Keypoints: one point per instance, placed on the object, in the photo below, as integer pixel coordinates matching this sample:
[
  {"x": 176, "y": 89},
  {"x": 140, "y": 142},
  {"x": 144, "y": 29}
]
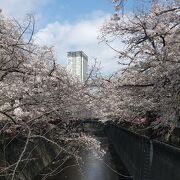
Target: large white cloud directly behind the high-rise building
[{"x": 81, "y": 35}]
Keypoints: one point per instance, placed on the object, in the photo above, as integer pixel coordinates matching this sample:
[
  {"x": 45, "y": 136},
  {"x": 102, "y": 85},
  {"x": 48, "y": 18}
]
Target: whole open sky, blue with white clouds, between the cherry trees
[{"x": 70, "y": 25}]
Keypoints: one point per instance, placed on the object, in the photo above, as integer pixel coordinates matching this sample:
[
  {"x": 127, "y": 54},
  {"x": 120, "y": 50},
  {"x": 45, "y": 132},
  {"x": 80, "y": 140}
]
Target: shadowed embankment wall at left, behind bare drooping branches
[{"x": 39, "y": 154}]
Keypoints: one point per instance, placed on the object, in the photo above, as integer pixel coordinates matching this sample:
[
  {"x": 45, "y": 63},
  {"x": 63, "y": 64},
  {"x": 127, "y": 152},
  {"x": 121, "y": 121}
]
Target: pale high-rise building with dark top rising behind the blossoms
[{"x": 78, "y": 64}]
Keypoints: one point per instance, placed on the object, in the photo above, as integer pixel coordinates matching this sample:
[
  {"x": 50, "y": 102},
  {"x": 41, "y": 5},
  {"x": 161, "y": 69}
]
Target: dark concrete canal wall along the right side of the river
[{"x": 144, "y": 158}]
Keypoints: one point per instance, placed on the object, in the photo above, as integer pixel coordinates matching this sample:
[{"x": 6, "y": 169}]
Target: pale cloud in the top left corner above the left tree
[{"x": 19, "y": 8}]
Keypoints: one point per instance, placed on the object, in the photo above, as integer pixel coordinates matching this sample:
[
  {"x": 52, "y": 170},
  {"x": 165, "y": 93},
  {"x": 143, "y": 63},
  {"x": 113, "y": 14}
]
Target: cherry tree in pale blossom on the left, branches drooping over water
[{"x": 38, "y": 98}]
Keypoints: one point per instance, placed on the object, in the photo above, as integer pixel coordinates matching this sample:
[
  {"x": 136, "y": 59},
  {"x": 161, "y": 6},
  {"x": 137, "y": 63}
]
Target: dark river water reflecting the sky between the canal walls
[{"x": 92, "y": 167}]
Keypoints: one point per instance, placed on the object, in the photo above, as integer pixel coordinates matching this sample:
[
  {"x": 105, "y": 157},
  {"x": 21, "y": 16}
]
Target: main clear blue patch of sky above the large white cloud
[{"x": 73, "y": 10}]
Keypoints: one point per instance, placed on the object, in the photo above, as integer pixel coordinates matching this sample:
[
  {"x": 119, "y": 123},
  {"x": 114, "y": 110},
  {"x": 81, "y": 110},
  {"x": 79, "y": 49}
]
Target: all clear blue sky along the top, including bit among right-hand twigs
[{"x": 74, "y": 10}]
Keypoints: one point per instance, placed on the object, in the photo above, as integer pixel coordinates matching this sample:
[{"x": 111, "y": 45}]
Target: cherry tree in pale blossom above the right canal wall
[{"x": 149, "y": 78}]
